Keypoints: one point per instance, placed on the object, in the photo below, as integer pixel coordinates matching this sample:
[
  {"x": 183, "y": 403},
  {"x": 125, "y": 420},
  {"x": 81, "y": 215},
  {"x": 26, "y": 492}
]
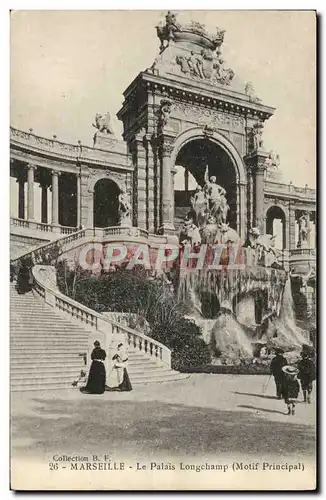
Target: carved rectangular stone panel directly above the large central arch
[{"x": 208, "y": 118}]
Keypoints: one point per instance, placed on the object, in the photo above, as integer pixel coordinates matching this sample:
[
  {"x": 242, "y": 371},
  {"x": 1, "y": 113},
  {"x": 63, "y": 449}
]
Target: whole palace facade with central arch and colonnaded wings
[{"x": 185, "y": 113}]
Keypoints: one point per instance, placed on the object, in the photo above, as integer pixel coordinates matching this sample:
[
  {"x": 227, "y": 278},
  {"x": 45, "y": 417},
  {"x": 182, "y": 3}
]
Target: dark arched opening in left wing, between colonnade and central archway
[{"x": 106, "y": 203}]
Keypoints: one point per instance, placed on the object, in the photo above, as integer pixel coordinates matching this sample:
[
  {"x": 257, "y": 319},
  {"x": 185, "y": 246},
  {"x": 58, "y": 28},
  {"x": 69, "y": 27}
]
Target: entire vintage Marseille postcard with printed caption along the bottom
[{"x": 163, "y": 250}]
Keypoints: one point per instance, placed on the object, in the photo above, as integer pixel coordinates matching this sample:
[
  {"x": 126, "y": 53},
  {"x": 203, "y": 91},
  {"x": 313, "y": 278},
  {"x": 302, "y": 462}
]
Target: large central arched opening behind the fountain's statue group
[{"x": 191, "y": 162}]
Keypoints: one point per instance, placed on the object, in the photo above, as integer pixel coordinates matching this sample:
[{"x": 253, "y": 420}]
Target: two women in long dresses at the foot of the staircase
[{"x": 117, "y": 380}]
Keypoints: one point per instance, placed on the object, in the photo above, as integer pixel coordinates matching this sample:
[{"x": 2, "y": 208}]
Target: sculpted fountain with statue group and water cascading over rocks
[{"x": 212, "y": 293}]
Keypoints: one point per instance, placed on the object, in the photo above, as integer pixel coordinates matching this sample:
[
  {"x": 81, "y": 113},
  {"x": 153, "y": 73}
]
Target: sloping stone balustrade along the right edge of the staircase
[{"x": 45, "y": 286}]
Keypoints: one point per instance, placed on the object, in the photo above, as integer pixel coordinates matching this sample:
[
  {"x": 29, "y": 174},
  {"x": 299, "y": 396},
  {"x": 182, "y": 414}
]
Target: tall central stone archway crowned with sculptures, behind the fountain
[{"x": 189, "y": 98}]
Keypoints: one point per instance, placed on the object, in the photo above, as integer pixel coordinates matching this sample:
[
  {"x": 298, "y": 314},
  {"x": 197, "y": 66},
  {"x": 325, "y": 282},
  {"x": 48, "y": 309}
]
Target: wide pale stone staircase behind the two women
[{"x": 46, "y": 349}]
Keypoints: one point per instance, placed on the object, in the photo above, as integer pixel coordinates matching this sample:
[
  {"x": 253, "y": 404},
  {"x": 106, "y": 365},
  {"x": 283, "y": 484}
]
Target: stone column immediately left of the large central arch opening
[{"x": 167, "y": 191}]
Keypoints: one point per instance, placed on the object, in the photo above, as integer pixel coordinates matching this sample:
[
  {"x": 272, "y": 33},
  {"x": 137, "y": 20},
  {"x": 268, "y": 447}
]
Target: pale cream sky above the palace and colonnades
[{"x": 68, "y": 65}]
